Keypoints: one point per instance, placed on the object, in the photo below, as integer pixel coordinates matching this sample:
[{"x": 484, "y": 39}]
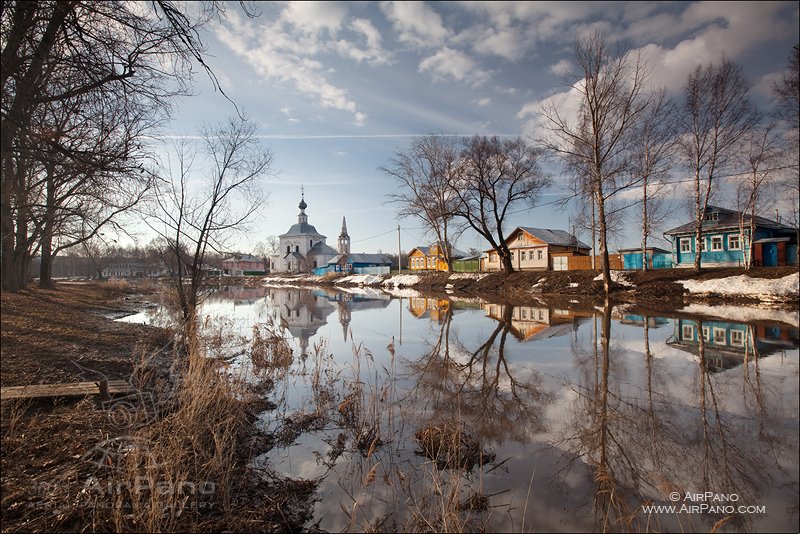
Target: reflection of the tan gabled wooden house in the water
[{"x": 528, "y": 323}]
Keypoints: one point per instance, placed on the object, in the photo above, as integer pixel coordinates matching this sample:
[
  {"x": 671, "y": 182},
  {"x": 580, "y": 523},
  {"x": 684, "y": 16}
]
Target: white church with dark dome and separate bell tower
[{"x": 303, "y": 249}]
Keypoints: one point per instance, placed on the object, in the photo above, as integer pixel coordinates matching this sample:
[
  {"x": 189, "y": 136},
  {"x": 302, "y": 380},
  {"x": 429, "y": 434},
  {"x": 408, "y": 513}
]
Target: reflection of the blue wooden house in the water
[{"x": 728, "y": 345}]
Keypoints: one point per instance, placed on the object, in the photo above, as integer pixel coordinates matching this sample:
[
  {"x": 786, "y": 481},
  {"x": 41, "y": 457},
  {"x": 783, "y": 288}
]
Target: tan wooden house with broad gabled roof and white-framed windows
[{"x": 537, "y": 249}]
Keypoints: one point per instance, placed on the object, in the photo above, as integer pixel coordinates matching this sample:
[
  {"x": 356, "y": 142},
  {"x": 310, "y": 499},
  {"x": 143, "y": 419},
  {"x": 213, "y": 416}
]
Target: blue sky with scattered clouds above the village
[{"x": 337, "y": 89}]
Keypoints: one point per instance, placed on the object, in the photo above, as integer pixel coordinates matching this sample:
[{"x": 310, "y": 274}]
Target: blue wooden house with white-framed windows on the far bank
[{"x": 722, "y": 244}]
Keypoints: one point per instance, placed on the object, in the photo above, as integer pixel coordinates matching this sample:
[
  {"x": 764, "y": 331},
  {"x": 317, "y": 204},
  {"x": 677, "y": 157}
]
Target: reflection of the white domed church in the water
[{"x": 304, "y": 311}]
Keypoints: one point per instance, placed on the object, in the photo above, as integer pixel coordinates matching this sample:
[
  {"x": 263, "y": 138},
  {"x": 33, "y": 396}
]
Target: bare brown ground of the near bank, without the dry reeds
[{"x": 47, "y": 460}]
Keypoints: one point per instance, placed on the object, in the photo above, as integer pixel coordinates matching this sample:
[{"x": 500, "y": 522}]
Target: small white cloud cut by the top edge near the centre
[{"x": 416, "y": 23}]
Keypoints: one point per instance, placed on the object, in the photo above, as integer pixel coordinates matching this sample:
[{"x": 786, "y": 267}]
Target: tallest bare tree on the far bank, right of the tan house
[{"x": 596, "y": 147}]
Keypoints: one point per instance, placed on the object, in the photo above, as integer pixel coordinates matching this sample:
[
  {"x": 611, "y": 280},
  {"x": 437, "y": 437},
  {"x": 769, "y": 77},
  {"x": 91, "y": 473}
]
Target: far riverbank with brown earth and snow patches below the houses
[{"x": 672, "y": 288}]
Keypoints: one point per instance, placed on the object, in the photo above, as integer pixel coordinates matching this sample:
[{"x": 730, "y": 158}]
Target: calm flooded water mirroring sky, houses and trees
[{"x": 417, "y": 413}]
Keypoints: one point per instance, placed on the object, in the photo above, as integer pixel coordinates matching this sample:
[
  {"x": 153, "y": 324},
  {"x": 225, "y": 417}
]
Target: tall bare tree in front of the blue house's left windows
[{"x": 716, "y": 115}]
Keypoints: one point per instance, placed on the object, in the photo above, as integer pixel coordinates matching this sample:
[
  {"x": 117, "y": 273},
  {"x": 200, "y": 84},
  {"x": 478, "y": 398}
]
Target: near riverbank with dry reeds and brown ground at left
[{"x": 173, "y": 456}]
